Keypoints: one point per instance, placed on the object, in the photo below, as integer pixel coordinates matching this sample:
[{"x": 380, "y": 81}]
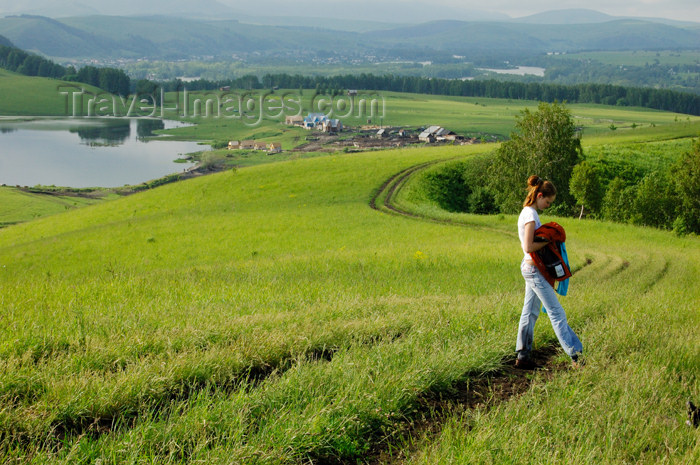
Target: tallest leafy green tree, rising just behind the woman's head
[{"x": 547, "y": 144}]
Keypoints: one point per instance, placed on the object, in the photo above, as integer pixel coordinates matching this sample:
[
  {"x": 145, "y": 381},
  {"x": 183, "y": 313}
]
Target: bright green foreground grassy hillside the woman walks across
[{"x": 269, "y": 315}]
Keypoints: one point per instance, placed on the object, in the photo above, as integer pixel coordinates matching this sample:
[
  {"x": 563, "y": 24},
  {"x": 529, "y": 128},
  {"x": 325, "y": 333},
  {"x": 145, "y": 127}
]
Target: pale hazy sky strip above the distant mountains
[{"x": 377, "y": 10}]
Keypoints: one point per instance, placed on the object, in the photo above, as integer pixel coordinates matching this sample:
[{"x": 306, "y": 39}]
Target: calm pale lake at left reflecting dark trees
[{"x": 97, "y": 152}]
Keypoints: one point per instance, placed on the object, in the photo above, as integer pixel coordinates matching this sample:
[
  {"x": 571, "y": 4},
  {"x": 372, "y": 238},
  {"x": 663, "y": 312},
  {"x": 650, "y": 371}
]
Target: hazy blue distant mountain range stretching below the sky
[{"x": 173, "y": 37}]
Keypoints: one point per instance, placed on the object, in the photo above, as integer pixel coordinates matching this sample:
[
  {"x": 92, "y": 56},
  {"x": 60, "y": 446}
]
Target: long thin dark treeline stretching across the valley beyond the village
[{"x": 606, "y": 94}]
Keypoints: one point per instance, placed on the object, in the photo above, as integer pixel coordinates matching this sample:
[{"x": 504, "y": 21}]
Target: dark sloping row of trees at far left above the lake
[{"x": 112, "y": 80}]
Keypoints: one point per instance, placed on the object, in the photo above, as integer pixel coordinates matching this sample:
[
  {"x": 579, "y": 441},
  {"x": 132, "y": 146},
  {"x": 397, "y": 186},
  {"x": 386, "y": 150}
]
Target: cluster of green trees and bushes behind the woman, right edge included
[{"x": 546, "y": 143}]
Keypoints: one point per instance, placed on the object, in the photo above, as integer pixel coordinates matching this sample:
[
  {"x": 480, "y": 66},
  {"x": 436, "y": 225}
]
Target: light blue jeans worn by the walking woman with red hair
[{"x": 537, "y": 290}]
